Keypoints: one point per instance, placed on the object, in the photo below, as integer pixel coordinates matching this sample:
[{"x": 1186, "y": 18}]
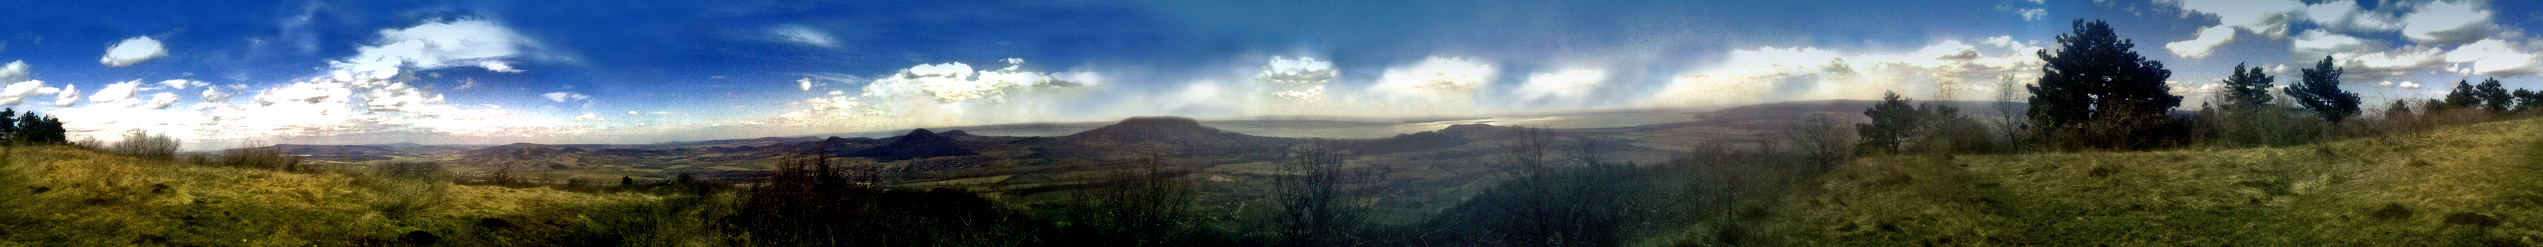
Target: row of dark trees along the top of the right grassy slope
[{"x": 2102, "y": 95}]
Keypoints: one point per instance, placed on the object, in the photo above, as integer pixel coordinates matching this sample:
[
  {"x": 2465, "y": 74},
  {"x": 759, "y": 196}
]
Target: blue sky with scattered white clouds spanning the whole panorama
[{"x": 484, "y": 73}]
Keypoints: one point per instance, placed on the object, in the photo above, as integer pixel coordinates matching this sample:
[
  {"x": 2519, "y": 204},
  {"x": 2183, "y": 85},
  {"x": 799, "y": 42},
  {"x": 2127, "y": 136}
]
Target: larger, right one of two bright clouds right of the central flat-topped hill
[{"x": 1438, "y": 78}]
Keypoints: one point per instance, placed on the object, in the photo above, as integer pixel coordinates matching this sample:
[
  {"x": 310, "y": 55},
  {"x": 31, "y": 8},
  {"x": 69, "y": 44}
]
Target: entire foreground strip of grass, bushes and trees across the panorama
[{"x": 2097, "y": 159}]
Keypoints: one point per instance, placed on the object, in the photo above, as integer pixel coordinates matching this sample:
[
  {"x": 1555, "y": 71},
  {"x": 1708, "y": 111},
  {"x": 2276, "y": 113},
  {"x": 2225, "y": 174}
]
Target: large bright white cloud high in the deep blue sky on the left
[{"x": 436, "y": 47}]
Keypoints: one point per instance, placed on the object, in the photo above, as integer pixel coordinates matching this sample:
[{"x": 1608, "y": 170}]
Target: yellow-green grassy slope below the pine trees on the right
[{"x": 2473, "y": 185}]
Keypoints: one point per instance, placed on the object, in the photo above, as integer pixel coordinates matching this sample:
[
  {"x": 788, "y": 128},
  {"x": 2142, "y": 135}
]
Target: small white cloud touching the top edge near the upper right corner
[{"x": 2448, "y": 24}]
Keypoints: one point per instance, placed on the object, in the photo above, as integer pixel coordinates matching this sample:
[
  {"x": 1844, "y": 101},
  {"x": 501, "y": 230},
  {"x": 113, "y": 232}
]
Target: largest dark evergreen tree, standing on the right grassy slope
[{"x": 2099, "y": 90}]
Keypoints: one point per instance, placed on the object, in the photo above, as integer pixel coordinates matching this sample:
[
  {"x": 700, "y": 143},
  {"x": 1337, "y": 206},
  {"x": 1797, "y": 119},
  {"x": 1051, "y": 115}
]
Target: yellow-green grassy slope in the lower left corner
[{"x": 70, "y": 197}]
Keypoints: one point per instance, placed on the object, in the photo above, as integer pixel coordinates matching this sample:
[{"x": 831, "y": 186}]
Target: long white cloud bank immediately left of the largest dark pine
[{"x": 1769, "y": 75}]
